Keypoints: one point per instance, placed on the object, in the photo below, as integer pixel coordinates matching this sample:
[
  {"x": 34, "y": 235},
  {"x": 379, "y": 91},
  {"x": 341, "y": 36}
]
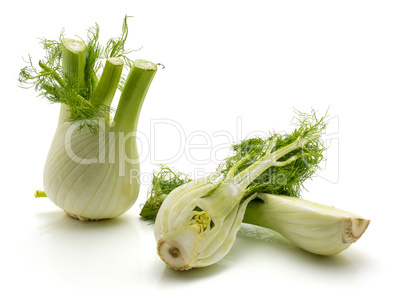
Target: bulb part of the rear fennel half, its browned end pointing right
[{"x": 314, "y": 227}]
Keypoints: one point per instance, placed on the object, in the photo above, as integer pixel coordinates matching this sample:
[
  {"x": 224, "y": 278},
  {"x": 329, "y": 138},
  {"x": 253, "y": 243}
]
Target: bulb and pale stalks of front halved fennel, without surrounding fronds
[{"x": 197, "y": 223}]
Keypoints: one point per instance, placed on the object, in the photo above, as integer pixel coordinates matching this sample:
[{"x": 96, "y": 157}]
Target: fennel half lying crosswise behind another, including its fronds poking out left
[{"x": 316, "y": 228}]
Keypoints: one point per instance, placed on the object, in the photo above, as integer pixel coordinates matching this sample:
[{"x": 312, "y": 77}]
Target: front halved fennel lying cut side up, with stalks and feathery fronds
[{"x": 197, "y": 222}]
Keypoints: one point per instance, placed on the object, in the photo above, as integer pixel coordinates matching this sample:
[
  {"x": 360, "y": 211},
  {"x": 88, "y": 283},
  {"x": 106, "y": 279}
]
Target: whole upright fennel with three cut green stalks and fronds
[{"x": 92, "y": 168}]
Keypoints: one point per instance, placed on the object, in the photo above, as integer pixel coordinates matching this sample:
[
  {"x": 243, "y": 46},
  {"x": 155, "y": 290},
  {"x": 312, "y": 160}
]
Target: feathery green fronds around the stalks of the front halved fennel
[{"x": 293, "y": 169}]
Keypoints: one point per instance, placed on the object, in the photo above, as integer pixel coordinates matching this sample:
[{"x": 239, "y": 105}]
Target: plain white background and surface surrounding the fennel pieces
[{"x": 253, "y": 61}]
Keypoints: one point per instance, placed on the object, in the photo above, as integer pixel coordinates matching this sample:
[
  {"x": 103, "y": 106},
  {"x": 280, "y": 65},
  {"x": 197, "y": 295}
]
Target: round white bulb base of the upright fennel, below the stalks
[{"x": 85, "y": 178}]
